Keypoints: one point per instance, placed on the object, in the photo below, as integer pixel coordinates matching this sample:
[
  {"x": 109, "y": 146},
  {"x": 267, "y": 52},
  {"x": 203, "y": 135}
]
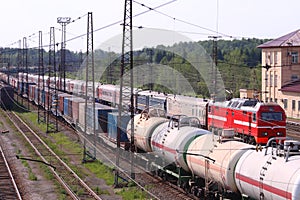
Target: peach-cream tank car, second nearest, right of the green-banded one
[{"x": 220, "y": 158}]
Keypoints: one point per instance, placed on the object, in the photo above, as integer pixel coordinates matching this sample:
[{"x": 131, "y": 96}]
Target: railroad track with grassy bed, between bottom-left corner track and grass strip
[{"x": 74, "y": 186}]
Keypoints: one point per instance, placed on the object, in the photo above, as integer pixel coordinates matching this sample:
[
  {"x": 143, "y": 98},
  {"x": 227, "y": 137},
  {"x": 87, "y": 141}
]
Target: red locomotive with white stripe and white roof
[{"x": 253, "y": 121}]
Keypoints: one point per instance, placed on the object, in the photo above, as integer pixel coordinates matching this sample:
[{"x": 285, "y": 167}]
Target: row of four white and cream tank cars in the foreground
[{"x": 219, "y": 163}]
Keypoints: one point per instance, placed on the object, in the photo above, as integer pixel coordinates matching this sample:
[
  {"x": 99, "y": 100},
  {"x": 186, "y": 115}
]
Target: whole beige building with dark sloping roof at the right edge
[{"x": 281, "y": 72}]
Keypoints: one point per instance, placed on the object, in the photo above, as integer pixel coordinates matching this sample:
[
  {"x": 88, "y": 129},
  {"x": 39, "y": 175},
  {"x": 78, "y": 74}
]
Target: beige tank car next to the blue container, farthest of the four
[{"x": 144, "y": 125}]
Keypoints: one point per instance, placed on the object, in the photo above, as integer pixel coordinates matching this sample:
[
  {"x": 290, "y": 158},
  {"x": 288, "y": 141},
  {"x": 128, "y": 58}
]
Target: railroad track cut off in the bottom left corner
[{"x": 8, "y": 187}]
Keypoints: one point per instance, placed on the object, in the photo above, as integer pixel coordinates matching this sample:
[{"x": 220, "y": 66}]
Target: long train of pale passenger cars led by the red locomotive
[{"x": 251, "y": 120}]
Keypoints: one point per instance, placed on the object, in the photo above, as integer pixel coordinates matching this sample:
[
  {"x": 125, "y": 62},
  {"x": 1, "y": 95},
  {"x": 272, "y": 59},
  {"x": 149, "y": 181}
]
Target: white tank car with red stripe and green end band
[{"x": 169, "y": 140}]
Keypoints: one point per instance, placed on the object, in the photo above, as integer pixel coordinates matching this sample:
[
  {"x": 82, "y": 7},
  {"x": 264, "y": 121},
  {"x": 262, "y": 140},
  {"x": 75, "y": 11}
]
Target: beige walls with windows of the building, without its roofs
[{"x": 284, "y": 67}]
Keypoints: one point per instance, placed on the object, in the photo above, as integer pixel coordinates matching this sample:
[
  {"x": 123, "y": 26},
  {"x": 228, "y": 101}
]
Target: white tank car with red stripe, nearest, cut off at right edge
[{"x": 265, "y": 175}]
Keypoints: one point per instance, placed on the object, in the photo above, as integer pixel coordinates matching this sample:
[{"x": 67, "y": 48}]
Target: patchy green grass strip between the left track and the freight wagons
[{"x": 63, "y": 143}]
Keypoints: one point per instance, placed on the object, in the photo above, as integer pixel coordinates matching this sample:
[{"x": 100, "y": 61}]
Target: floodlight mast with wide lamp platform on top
[{"x": 62, "y": 69}]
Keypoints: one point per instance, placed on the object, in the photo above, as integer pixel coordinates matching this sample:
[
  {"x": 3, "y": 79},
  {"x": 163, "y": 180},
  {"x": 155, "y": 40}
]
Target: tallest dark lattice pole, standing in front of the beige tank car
[{"x": 126, "y": 104}]
